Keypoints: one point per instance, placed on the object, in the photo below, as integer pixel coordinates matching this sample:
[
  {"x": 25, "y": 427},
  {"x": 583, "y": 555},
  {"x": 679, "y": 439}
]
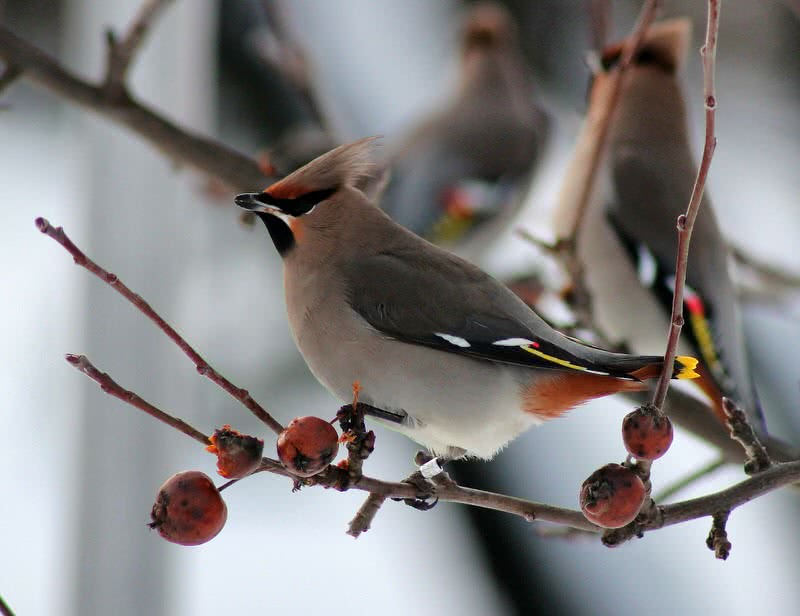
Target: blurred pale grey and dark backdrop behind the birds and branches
[{"x": 81, "y": 470}]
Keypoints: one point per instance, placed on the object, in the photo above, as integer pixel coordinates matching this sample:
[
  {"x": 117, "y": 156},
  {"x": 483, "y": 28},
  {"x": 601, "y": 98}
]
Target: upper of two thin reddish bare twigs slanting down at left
[{"x": 242, "y": 395}]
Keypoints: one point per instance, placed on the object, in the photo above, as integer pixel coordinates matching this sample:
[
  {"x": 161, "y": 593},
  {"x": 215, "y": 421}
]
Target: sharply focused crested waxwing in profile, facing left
[{"x": 449, "y": 355}]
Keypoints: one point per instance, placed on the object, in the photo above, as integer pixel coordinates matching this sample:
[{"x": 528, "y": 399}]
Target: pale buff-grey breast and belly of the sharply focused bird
[{"x": 450, "y": 400}]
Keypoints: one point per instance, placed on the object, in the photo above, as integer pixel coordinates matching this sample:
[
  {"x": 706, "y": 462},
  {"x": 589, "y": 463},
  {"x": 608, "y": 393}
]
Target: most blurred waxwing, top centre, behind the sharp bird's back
[{"x": 459, "y": 169}]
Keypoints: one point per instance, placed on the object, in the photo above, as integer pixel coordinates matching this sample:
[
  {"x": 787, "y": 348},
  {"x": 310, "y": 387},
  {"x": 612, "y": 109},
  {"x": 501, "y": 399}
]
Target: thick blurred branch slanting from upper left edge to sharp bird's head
[{"x": 201, "y": 153}]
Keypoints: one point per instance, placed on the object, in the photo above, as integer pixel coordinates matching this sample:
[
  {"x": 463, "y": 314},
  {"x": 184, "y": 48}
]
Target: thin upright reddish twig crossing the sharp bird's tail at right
[{"x": 686, "y": 221}]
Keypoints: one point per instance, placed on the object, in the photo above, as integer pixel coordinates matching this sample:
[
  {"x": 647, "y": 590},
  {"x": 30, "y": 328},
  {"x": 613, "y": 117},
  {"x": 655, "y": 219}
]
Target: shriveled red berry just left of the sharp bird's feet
[{"x": 307, "y": 445}]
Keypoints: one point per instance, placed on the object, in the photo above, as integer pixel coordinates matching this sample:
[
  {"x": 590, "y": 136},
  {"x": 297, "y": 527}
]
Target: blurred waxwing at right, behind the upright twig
[{"x": 626, "y": 238}]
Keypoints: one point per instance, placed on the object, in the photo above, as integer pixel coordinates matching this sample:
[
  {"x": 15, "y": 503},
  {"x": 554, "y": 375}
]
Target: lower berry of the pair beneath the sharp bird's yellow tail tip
[{"x": 612, "y": 496}]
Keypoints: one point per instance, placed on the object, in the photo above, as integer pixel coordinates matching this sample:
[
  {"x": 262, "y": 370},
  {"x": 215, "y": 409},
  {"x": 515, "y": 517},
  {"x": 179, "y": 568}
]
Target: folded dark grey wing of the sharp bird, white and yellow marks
[{"x": 447, "y": 304}]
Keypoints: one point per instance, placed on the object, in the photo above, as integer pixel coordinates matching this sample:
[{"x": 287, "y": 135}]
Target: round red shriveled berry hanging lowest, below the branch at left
[{"x": 189, "y": 509}]
